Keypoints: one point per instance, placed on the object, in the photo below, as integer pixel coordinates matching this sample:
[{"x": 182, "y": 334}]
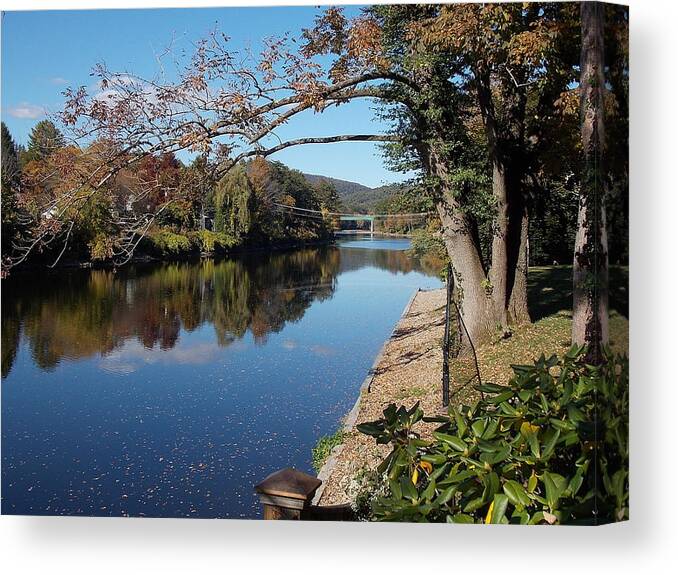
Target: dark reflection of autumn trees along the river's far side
[{"x": 83, "y": 313}]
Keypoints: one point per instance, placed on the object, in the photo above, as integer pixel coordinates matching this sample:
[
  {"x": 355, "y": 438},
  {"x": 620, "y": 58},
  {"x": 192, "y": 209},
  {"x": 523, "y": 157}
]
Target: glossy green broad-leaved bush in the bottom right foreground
[{"x": 551, "y": 447}]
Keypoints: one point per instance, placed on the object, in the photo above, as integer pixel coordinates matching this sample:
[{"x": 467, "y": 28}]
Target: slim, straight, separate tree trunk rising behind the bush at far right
[{"x": 590, "y": 275}]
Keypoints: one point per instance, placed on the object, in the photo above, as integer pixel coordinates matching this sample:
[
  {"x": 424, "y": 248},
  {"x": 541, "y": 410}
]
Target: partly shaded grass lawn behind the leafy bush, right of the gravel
[{"x": 550, "y": 300}]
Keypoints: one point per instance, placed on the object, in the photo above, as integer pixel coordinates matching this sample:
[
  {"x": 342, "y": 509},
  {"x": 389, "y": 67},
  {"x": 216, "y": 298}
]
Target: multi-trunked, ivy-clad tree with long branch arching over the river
[{"x": 465, "y": 87}]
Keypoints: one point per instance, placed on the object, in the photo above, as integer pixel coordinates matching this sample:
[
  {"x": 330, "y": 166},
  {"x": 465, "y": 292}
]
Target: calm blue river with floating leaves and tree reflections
[{"x": 169, "y": 390}]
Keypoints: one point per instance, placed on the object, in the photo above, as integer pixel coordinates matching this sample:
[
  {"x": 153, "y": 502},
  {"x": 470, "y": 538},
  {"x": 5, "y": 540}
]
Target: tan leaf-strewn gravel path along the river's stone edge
[{"x": 409, "y": 370}]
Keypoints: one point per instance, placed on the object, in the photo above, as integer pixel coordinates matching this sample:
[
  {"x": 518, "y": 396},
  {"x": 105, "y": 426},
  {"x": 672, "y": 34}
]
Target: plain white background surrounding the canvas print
[{"x": 648, "y": 543}]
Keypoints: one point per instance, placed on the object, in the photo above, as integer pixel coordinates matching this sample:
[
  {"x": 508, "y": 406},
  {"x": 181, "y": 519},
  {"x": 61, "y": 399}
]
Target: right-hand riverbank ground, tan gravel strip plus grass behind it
[{"x": 409, "y": 368}]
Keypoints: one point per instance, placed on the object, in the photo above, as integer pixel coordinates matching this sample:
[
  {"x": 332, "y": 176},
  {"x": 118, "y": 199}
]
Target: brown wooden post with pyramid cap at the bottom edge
[{"x": 287, "y": 494}]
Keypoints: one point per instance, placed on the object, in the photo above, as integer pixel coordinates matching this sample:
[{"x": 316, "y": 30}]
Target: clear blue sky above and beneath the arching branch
[{"x": 45, "y": 52}]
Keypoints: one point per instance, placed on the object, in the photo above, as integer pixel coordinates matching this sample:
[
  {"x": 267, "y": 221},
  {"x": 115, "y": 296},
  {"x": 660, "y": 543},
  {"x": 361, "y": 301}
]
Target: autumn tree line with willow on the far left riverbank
[{"x": 179, "y": 209}]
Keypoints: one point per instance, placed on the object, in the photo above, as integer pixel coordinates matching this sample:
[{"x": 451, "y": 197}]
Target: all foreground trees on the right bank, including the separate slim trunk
[{"x": 507, "y": 113}]
